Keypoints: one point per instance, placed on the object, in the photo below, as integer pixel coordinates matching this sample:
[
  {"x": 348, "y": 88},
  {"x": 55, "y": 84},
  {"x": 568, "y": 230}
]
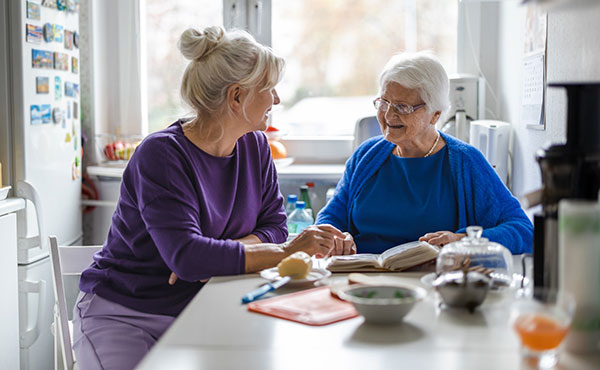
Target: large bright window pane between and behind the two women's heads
[{"x": 334, "y": 51}]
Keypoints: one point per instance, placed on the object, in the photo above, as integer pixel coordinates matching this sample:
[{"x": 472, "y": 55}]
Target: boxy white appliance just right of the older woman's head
[{"x": 467, "y": 103}]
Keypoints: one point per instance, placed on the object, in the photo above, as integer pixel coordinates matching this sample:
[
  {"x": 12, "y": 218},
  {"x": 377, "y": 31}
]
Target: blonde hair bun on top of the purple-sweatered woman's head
[{"x": 195, "y": 45}]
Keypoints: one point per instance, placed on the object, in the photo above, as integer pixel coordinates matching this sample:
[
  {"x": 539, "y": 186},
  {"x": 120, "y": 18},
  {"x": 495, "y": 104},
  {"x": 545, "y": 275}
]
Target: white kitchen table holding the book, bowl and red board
[{"x": 216, "y": 331}]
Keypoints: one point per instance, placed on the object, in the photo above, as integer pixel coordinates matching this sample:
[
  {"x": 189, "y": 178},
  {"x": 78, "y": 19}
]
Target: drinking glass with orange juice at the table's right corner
[{"x": 542, "y": 318}]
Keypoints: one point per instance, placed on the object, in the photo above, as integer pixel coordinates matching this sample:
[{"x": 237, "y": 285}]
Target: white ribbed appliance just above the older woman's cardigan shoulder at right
[{"x": 492, "y": 138}]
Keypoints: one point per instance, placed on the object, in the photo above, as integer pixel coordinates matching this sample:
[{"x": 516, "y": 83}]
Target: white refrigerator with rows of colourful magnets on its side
[{"x": 41, "y": 152}]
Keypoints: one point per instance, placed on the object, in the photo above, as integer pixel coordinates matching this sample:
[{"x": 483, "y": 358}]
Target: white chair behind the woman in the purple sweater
[{"x": 66, "y": 260}]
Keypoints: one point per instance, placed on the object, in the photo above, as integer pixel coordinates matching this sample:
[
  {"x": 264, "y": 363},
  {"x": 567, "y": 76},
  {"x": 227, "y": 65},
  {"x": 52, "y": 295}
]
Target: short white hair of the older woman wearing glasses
[{"x": 420, "y": 71}]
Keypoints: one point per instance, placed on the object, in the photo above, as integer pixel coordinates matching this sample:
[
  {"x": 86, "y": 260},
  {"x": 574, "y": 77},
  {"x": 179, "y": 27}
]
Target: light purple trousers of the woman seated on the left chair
[{"x": 107, "y": 335}]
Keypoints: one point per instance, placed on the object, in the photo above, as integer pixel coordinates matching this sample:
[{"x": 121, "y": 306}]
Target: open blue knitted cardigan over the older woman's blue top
[{"x": 482, "y": 197}]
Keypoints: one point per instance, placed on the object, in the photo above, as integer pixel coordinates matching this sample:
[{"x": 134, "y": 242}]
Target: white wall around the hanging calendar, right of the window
[{"x": 573, "y": 54}]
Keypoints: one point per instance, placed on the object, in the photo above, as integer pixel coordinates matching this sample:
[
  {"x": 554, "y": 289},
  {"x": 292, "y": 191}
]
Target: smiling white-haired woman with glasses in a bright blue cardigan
[{"x": 415, "y": 182}]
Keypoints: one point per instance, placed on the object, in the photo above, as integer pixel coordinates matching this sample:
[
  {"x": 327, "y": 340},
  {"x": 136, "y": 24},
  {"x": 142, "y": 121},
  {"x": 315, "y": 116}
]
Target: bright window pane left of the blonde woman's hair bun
[{"x": 165, "y": 21}]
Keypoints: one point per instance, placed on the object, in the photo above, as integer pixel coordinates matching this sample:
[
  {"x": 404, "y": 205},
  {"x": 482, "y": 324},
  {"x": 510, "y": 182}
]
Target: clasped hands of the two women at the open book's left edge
[{"x": 318, "y": 240}]
